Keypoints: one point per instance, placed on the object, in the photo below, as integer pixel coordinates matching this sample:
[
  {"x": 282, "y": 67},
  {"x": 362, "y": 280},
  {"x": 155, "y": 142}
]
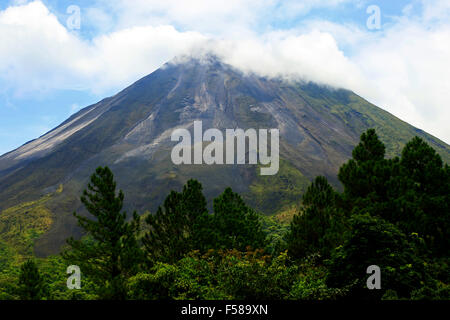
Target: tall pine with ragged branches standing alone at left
[{"x": 111, "y": 253}]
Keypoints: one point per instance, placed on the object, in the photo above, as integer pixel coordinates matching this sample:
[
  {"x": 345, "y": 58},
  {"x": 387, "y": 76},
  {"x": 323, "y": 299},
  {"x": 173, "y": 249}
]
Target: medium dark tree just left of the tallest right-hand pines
[{"x": 319, "y": 225}]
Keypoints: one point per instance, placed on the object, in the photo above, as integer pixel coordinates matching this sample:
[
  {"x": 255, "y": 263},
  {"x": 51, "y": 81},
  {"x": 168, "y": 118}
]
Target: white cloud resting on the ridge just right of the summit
[{"x": 313, "y": 56}]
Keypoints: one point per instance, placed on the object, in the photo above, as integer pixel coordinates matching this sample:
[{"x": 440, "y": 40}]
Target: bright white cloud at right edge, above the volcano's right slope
[{"x": 408, "y": 71}]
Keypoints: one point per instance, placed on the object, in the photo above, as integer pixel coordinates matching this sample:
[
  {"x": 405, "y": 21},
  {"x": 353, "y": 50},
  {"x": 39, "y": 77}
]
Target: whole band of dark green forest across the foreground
[{"x": 390, "y": 212}]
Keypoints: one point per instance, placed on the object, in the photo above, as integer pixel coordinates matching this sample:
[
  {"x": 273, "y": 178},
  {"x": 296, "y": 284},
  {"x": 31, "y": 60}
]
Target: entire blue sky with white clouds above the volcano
[{"x": 58, "y": 56}]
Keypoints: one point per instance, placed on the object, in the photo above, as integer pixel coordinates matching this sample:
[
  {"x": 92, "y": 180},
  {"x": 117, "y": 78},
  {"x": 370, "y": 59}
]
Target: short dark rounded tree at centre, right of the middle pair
[{"x": 236, "y": 225}]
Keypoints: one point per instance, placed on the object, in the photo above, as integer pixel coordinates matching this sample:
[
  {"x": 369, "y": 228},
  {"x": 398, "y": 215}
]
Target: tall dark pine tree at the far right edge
[{"x": 423, "y": 195}]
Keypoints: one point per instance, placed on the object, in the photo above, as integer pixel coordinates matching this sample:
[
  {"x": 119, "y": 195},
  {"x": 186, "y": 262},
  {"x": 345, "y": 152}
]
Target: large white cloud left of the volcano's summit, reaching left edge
[{"x": 38, "y": 53}]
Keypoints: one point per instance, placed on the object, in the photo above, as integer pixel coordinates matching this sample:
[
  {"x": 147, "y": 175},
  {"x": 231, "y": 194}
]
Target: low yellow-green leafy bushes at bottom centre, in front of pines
[{"x": 218, "y": 275}]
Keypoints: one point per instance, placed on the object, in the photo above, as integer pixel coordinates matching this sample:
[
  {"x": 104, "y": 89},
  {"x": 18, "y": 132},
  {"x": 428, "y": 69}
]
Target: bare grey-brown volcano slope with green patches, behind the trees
[{"x": 130, "y": 132}]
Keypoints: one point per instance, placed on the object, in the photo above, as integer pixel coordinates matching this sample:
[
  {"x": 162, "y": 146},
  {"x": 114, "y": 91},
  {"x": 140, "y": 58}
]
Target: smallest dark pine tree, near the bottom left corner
[{"x": 31, "y": 284}]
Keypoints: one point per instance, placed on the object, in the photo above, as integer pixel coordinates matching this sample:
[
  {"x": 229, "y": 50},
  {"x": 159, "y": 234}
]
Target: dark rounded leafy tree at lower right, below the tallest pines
[{"x": 374, "y": 241}]
